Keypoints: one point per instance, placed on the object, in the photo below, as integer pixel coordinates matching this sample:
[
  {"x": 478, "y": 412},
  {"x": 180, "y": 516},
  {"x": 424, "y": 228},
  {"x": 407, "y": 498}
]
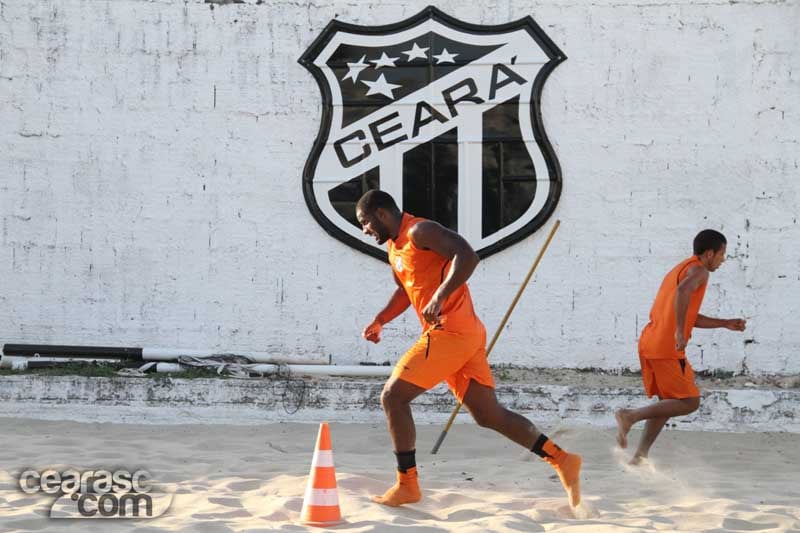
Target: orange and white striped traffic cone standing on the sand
[{"x": 321, "y": 501}]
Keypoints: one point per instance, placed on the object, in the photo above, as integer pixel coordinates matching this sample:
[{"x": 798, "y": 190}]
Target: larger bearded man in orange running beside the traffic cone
[{"x": 431, "y": 265}]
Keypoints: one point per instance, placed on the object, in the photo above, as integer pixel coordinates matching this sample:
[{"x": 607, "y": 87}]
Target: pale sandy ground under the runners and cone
[{"x": 234, "y": 478}]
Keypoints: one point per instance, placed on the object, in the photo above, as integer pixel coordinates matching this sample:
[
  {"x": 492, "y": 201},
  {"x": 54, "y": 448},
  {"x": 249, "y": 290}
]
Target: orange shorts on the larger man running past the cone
[{"x": 441, "y": 355}]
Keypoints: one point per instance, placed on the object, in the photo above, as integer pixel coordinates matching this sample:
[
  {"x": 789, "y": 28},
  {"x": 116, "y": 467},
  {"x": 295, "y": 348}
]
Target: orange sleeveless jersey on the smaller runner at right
[{"x": 657, "y": 340}]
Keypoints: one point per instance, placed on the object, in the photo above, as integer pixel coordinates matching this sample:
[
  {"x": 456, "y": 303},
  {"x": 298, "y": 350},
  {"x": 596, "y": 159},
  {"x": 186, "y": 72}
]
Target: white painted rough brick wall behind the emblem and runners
[{"x": 151, "y": 156}]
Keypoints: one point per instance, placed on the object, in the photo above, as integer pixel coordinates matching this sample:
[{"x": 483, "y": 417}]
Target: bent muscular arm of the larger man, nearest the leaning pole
[{"x": 453, "y": 247}]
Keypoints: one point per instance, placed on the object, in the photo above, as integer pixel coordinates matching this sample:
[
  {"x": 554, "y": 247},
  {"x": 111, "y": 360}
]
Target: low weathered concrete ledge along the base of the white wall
[{"x": 256, "y": 401}]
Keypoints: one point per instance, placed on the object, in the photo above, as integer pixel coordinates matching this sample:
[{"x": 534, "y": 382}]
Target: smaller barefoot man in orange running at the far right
[{"x": 665, "y": 371}]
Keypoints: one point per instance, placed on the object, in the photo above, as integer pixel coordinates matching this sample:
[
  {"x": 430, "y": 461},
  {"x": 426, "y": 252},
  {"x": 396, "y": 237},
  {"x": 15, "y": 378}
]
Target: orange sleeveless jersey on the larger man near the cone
[{"x": 421, "y": 272}]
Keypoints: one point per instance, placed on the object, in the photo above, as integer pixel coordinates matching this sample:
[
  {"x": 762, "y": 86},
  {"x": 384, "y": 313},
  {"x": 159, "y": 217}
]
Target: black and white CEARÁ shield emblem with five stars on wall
[{"x": 441, "y": 114}]
